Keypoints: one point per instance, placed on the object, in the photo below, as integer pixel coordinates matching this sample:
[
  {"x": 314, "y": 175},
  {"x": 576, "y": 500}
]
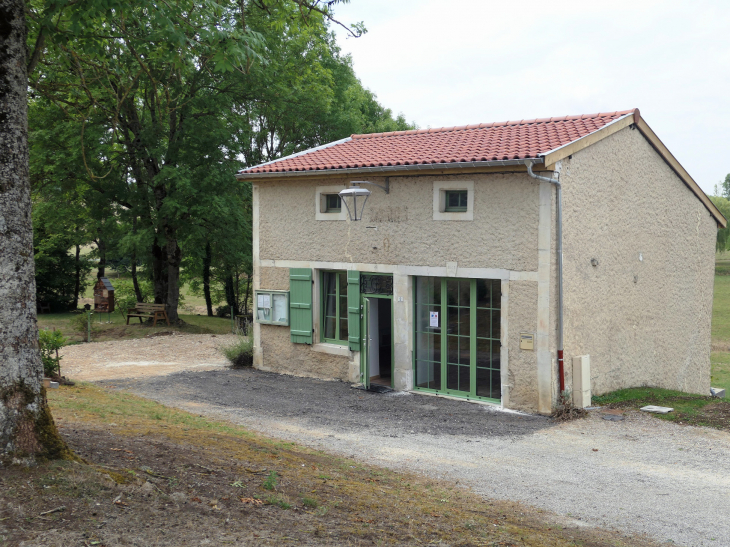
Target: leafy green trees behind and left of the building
[{"x": 140, "y": 115}]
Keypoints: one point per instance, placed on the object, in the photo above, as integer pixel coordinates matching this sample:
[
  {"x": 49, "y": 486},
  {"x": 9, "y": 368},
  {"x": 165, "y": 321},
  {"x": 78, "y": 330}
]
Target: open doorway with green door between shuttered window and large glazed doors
[{"x": 379, "y": 354}]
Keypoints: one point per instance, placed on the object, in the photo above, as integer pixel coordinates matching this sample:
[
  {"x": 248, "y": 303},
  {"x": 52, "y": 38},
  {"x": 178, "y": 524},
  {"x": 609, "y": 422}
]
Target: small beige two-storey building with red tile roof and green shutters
[{"x": 450, "y": 283}]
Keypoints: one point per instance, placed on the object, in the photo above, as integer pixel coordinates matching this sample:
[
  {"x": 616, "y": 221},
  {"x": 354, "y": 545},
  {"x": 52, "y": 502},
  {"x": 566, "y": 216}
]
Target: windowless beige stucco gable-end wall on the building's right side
[{"x": 643, "y": 313}]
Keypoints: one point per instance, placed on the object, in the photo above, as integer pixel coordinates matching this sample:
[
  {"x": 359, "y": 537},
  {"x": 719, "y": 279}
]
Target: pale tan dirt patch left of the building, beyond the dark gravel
[{"x": 156, "y": 355}]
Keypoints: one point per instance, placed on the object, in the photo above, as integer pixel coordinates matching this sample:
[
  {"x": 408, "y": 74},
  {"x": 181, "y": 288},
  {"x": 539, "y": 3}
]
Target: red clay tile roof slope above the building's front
[{"x": 469, "y": 143}]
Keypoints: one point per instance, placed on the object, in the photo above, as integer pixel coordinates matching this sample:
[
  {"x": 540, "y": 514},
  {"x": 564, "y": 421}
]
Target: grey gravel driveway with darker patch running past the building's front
[{"x": 640, "y": 475}]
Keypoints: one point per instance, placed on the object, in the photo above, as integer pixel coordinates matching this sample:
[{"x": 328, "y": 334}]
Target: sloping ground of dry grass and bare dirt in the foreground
[{"x": 161, "y": 477}]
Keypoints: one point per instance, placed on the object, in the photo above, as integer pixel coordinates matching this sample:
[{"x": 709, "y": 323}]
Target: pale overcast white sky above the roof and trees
[{"x": 472, "y": 61}]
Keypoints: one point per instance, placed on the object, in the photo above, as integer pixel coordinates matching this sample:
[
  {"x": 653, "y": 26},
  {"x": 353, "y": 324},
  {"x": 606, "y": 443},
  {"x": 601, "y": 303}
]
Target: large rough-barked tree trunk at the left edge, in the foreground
[{"x": 27, "y": 429}]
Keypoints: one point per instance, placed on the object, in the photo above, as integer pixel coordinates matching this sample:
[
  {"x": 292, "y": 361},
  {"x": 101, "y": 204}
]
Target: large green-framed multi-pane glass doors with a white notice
[{"x": 457, "y": 336}]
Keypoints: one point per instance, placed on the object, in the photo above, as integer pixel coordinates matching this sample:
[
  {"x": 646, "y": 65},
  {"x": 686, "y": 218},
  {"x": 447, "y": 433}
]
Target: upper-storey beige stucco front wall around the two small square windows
[{"x": 398, "y": 228}]
